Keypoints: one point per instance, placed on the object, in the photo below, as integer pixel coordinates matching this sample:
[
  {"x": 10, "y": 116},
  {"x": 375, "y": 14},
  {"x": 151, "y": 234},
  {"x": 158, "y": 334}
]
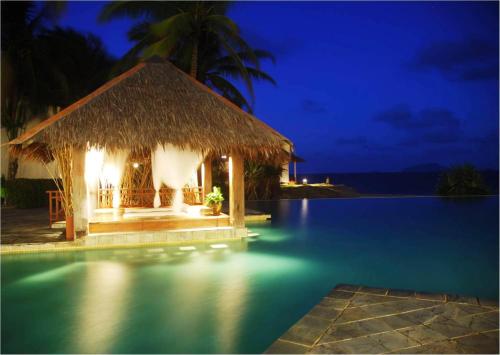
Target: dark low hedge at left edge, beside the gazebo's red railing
[{"x": 28, "y": 193}]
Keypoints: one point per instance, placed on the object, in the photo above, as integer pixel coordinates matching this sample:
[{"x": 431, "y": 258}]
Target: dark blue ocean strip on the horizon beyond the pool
[{"x": 393, "y": 183}]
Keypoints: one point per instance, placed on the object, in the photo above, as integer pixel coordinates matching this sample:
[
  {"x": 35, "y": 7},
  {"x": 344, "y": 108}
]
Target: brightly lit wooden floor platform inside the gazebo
[{"x": 108, "y": 222}]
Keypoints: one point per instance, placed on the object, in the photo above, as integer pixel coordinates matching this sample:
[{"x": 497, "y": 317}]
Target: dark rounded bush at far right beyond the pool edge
[{"x": 462, "y": 180}]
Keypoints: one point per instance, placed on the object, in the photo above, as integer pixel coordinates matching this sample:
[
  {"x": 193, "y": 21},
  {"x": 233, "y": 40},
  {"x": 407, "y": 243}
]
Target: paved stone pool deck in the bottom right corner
[{"x": 355, "y": 319}]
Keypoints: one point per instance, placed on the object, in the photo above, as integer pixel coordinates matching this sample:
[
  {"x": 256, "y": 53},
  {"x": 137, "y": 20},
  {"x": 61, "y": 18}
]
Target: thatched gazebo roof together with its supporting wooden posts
[{"x": 150, "y": 106}]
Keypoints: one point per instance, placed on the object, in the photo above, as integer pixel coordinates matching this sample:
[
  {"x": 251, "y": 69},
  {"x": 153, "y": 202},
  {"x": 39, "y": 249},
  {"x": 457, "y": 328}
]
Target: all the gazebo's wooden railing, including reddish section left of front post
[{"x": 129, "y": 198}]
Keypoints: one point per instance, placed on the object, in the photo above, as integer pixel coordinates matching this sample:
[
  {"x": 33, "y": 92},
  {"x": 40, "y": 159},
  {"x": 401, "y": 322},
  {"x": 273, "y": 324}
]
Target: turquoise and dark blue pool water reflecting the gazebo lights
[{"x": 240, "y": 298}]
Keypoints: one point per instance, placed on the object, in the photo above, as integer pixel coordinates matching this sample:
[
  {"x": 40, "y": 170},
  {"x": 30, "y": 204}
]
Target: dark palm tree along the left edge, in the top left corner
[{"x": 21, "y": 22}]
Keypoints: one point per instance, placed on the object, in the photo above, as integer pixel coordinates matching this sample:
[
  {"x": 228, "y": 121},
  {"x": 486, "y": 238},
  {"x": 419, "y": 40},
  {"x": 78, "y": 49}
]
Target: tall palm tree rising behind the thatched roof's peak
[{"x": 198, "y": 38}]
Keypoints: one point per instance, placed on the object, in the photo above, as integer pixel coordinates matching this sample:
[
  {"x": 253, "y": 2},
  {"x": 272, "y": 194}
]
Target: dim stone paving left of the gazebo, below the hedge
[{"x": 28, "y": 226}]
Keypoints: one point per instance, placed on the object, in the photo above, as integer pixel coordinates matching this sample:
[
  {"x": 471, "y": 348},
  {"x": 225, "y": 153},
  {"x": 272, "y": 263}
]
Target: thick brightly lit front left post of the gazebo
[{"x": 79, "y": 195}]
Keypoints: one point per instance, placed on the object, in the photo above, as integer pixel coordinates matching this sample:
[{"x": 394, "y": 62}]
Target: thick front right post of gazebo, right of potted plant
[{"x": 236, "y": 191}]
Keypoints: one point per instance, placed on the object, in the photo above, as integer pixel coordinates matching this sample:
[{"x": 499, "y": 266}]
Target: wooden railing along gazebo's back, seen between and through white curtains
[{"x": 145, "y": 197}]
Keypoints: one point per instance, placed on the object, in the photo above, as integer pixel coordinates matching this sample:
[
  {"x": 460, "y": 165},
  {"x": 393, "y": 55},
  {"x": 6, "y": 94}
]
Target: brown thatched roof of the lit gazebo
[{"x": 156, "y": 103}]
